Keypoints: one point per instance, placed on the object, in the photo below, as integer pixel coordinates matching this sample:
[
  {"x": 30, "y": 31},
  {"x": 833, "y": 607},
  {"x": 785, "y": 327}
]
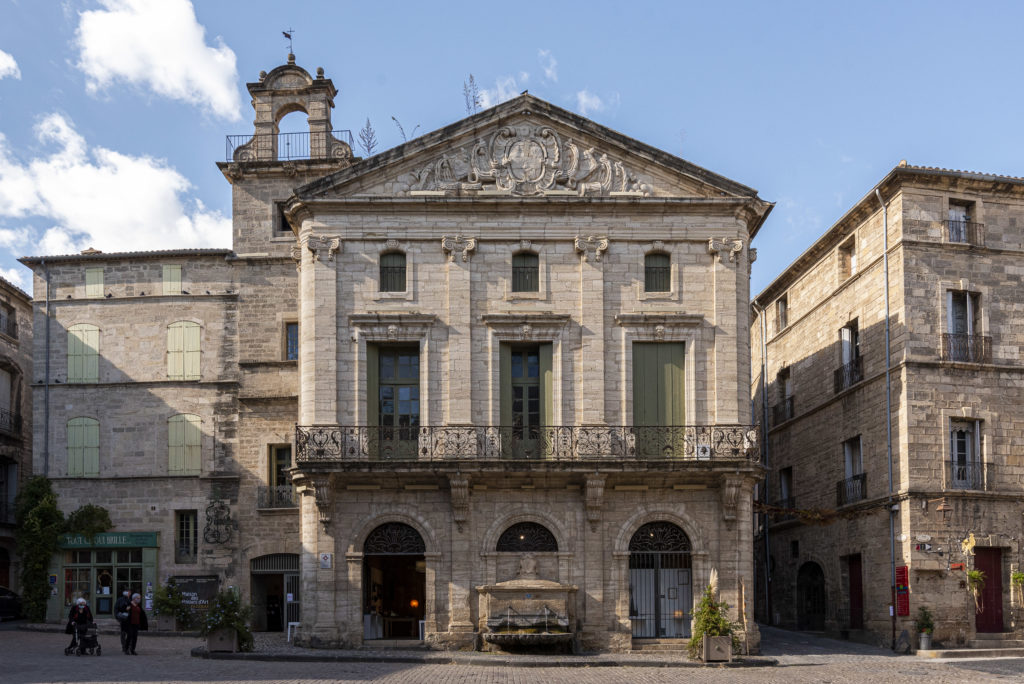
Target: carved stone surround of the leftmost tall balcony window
[{"x": 387, "y": 328}]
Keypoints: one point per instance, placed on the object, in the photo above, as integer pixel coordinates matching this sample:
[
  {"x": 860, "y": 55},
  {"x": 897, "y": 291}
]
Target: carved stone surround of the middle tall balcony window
[{"x": 540, "y": 328}]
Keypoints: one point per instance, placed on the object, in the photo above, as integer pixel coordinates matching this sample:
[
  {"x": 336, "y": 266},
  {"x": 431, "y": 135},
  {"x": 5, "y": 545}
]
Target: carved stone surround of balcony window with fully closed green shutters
[{"x": 667, "y": 327}]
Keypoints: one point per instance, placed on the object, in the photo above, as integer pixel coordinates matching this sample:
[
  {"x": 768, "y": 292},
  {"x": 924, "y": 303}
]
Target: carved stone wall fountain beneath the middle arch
[{"x": 528, "y": 614}]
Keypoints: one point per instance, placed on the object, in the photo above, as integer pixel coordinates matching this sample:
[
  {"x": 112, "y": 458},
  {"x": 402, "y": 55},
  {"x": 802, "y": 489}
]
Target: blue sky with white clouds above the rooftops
[{"x": 114, "y": 112}]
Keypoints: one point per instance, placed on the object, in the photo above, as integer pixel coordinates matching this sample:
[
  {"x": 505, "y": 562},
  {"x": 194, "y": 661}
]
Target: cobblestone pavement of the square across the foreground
[{"x": 38, "y": 657}]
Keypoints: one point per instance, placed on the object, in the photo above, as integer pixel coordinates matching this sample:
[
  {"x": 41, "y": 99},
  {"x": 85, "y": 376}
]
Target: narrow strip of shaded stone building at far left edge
[{"x": 16, "y": 419}]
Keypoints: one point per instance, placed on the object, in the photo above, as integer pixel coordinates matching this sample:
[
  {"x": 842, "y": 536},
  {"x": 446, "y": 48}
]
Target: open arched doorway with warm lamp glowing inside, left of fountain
[{"x": 394, "y": 583}]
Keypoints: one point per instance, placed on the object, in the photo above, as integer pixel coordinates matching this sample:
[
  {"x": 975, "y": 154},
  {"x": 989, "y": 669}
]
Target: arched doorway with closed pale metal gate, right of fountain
[{"x": 661, "y": 583}]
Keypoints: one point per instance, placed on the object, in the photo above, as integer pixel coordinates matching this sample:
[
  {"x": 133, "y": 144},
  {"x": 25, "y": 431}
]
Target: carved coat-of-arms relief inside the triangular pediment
[{"x": 527, "y": 160}]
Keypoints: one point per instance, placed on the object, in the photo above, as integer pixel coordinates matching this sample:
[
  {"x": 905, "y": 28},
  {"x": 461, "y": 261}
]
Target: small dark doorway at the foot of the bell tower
[{"x": 275, "y": 591}]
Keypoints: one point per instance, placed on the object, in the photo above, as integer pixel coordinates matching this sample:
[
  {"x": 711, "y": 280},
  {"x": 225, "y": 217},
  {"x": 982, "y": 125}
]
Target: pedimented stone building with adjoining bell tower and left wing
[{"x": 514, "y": 351}]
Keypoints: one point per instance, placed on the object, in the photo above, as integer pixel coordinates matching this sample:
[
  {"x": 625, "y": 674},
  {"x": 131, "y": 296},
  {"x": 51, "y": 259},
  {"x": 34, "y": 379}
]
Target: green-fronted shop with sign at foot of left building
[{"x": 99, "y": 570}]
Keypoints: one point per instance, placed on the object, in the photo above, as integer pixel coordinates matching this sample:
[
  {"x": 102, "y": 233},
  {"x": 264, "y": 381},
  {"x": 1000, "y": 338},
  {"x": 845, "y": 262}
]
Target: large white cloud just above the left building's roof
[{"x": 104, "y": 199}]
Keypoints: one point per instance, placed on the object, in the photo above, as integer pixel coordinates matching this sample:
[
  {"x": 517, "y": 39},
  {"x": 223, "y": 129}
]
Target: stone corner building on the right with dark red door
[{"x": 955, "y": 306}]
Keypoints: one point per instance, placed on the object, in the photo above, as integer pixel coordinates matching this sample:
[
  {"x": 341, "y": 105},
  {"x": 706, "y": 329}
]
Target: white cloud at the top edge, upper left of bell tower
[{"x": 158, "y": 45}]
